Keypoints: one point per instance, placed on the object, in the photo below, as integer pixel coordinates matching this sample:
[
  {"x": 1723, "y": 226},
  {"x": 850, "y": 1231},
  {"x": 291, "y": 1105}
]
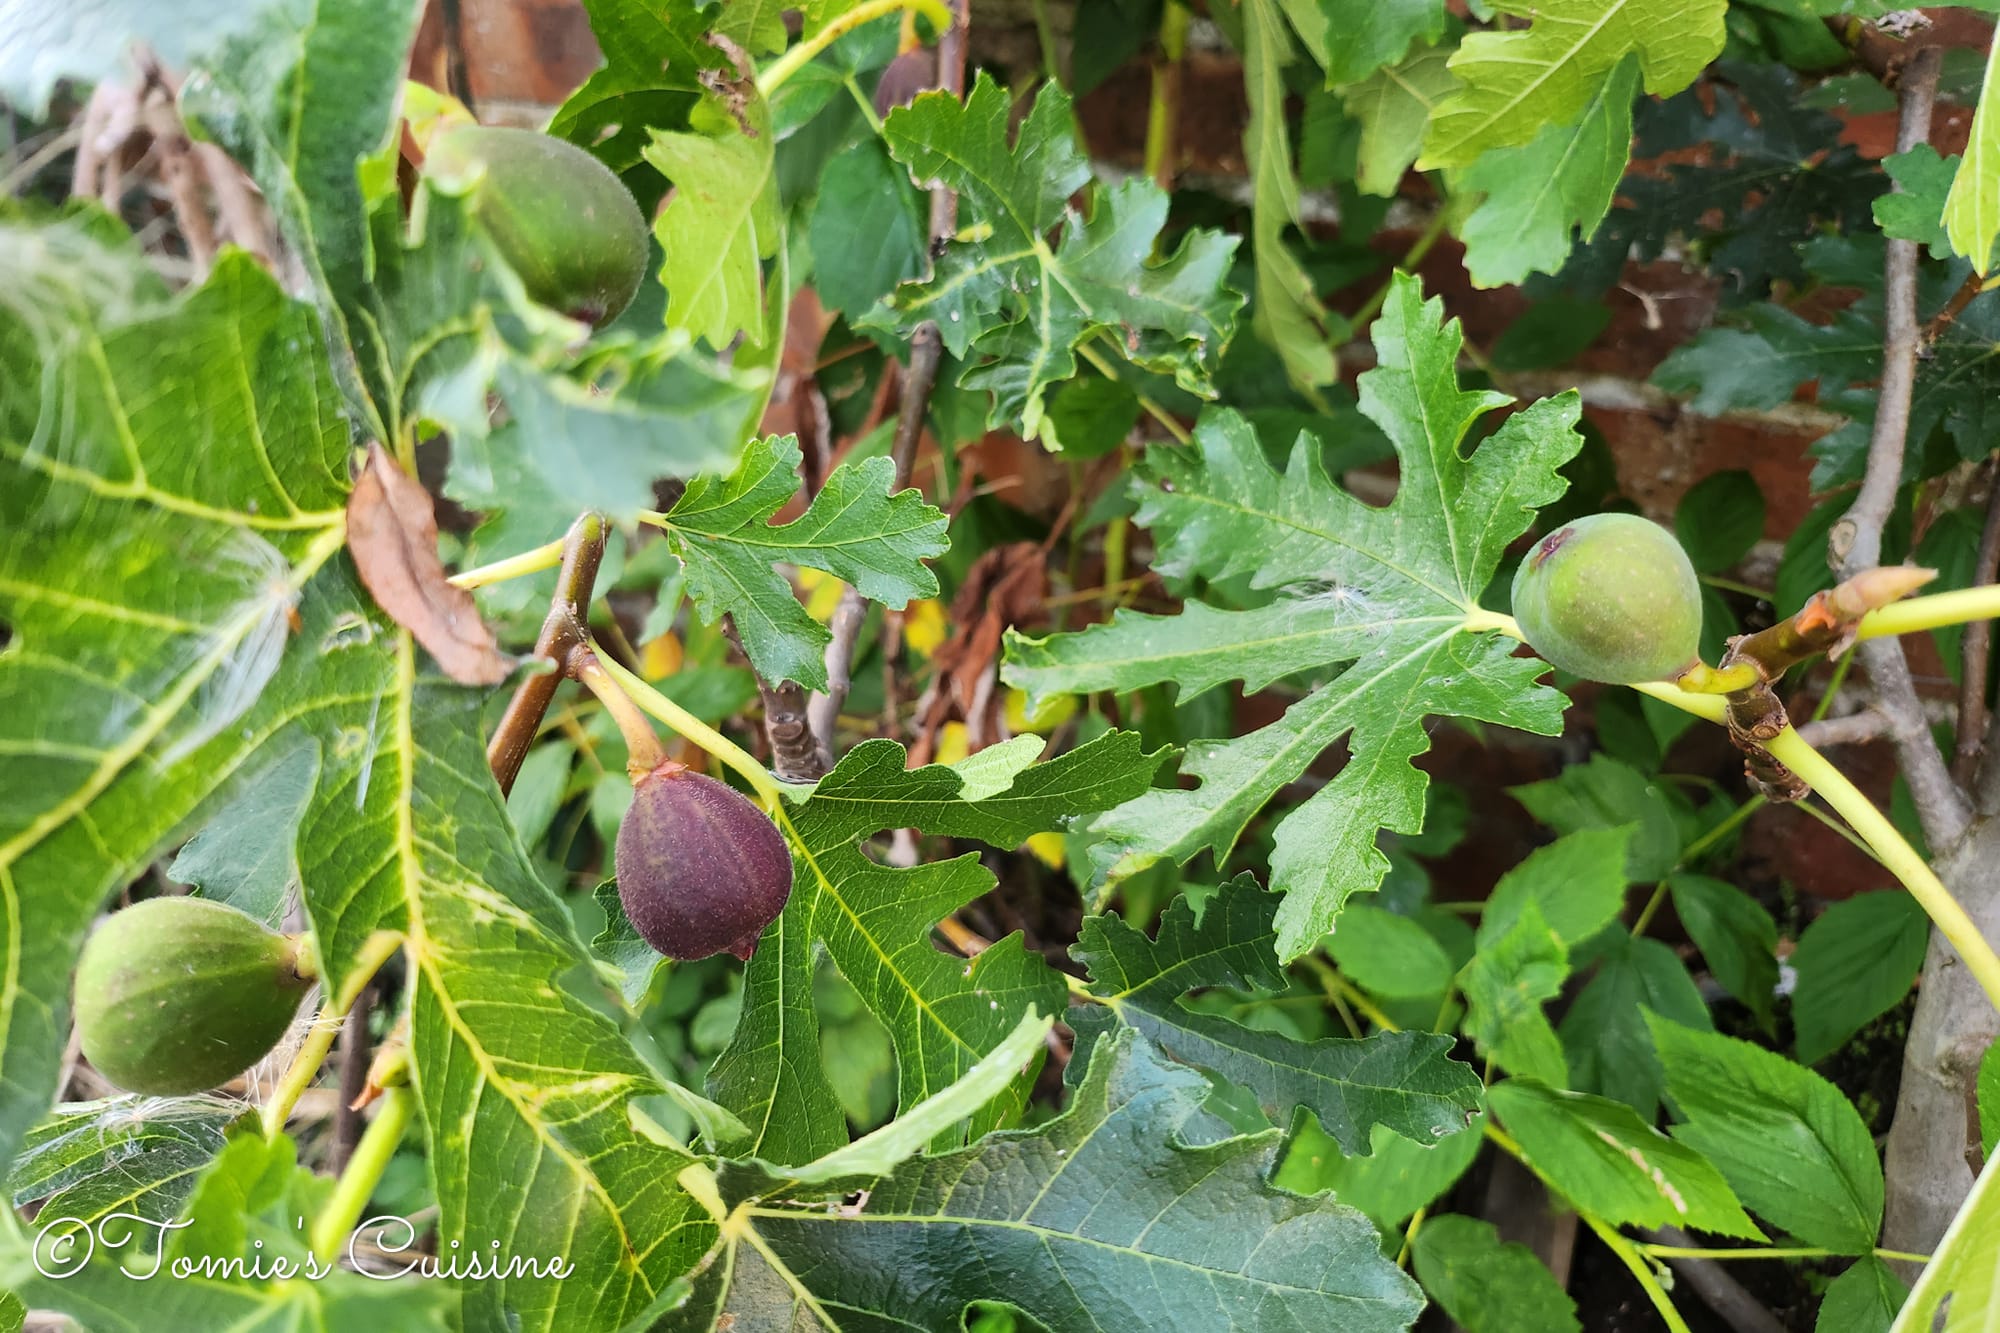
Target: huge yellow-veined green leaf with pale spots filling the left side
[{"x": 149, "y": 682}]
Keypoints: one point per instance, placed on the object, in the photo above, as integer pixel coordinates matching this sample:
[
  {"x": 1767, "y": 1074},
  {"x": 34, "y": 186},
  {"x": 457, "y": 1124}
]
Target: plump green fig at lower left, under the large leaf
[{"x": 181, "y": 996}]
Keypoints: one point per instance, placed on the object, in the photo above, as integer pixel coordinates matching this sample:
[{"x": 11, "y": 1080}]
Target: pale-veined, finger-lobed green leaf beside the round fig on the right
[{"x": 1383, "y": 591}]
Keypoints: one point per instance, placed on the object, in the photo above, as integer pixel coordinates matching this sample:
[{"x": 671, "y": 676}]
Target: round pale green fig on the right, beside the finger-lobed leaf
[{"x": 1613, "y": 599}]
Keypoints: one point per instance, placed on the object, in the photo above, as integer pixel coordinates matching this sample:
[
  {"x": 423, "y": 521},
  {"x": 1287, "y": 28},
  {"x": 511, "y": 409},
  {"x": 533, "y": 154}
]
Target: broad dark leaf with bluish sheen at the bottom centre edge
[{"x": 1099, "y": 1220}]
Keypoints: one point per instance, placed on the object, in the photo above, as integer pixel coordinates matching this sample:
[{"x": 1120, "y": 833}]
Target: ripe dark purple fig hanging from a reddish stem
[{"x": 701, "y": 870}]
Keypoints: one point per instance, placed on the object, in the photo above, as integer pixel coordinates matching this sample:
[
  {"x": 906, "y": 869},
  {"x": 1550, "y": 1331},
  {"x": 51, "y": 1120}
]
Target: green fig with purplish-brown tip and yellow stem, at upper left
[{"x": 565, "y": 223}]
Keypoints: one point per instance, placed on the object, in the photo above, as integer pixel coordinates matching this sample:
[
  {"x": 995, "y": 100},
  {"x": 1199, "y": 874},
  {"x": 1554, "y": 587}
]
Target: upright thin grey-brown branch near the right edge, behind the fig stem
[{"x": 1857, "y": 539}]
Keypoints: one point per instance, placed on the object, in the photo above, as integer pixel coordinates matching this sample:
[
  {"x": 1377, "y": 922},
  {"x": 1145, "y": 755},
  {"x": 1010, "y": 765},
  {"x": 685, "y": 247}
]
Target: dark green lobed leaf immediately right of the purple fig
[{"x": 875, "y": 922}]
